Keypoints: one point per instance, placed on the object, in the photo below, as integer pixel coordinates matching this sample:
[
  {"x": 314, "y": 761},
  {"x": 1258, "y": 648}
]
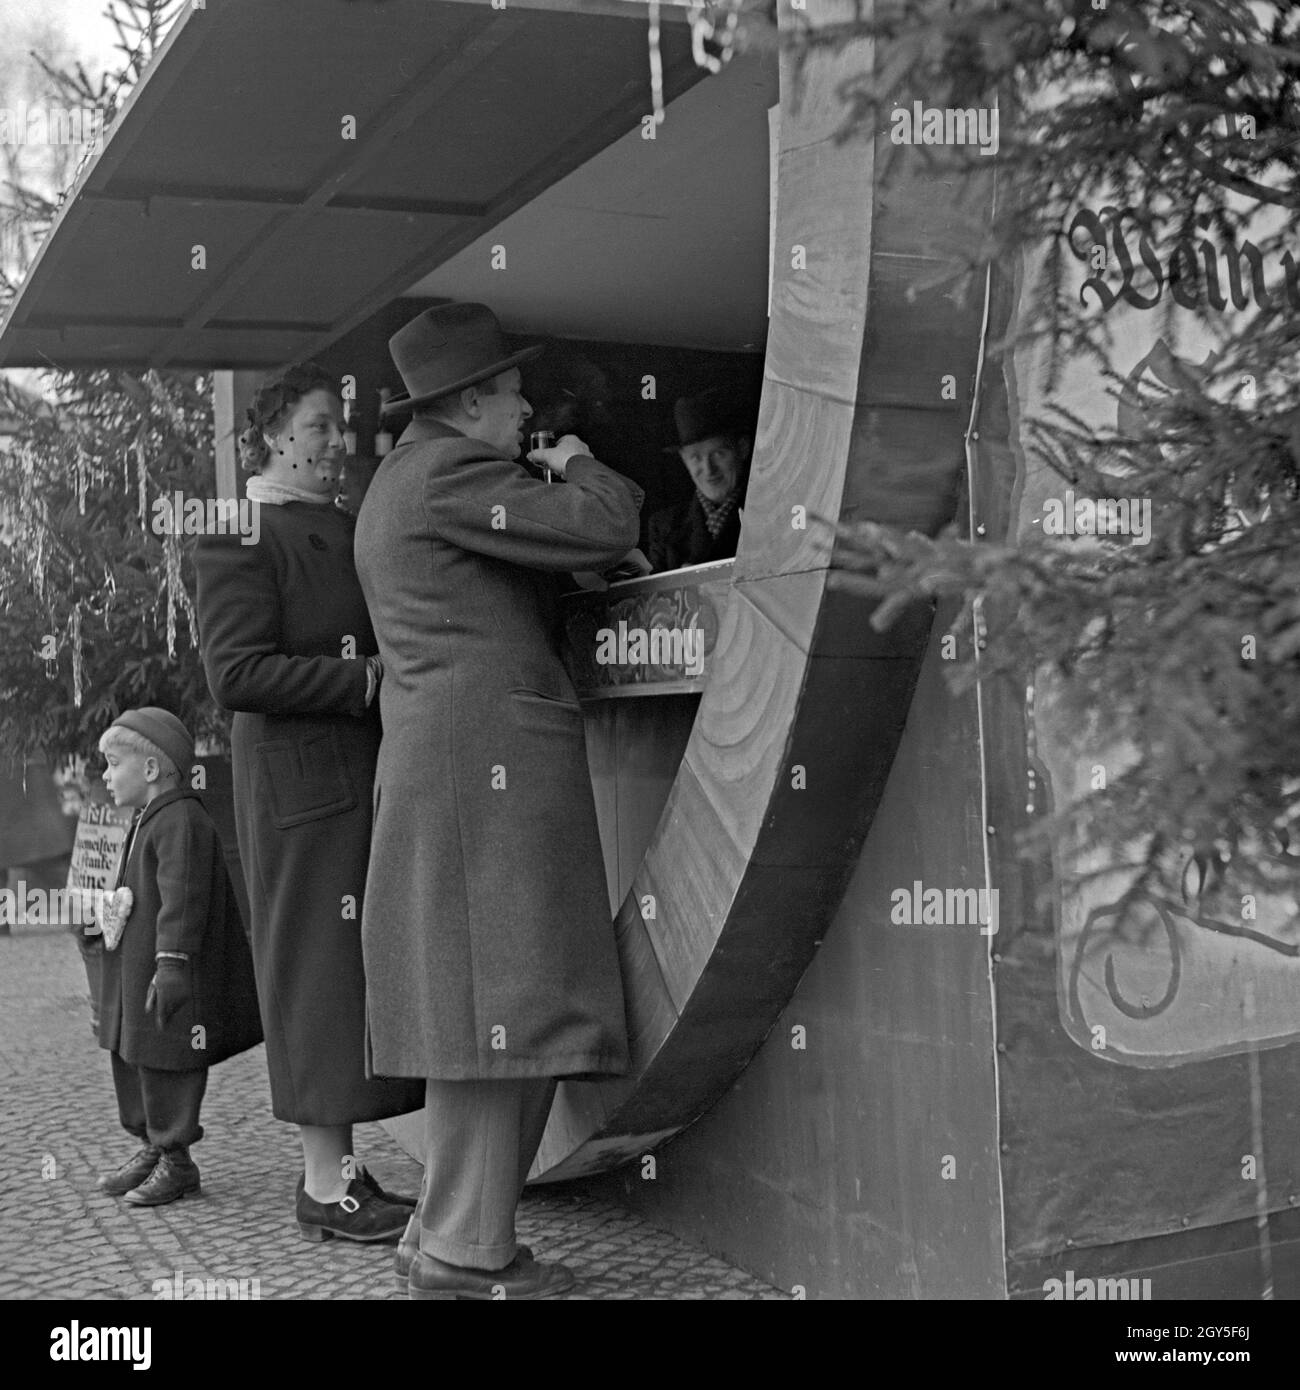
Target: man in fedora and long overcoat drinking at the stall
[{"x": 491, "y": 967}]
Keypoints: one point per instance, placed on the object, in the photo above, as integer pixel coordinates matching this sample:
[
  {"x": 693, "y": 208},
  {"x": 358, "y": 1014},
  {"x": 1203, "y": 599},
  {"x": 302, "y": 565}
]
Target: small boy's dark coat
[{"x": 183, "y": 901}]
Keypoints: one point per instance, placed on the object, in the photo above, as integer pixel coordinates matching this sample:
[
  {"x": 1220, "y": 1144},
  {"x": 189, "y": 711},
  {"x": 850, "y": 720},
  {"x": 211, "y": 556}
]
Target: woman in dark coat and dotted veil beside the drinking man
[{"x": 289, "y": 646}]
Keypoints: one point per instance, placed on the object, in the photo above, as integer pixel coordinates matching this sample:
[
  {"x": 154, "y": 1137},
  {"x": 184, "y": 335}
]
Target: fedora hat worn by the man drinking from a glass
[{"x": 446, "y": 350}]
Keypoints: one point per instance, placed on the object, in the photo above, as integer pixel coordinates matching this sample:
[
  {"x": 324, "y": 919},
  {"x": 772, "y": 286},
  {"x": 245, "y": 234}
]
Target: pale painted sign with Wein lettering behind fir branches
[{"x": 1188, "y": 983}]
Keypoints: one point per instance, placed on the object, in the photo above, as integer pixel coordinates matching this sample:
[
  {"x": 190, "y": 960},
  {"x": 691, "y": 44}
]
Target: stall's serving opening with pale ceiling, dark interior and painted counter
[{"x": 647, "y": 273}]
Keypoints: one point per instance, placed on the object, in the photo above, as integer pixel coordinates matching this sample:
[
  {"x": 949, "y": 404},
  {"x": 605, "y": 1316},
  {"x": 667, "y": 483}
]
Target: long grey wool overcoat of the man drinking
[{"x": 490, "y": 950}]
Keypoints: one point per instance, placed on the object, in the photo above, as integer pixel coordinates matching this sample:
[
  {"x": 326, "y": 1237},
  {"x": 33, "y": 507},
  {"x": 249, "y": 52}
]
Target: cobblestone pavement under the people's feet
[{"x": 62, "y": 1239}]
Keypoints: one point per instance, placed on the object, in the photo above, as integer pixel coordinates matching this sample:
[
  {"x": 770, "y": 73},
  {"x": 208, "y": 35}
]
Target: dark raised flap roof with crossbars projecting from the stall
[{"x": 237, "y": 142}]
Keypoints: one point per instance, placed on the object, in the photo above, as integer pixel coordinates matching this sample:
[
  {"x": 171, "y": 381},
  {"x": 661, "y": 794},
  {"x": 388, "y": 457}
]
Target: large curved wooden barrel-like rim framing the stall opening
[{"x": 804, "y": 704}]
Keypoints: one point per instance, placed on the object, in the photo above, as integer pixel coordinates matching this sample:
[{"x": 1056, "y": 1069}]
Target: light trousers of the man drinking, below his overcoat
[{"x": 480, "y": 1143}]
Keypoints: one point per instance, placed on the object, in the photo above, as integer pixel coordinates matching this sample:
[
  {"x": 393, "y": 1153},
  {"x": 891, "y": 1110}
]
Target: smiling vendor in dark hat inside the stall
[{"x": 715, "y": 437}]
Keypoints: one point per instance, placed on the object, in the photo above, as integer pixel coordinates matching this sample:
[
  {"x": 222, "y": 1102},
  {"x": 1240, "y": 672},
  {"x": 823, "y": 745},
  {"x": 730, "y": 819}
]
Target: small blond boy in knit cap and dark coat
[{"x": 177, "y": 993}]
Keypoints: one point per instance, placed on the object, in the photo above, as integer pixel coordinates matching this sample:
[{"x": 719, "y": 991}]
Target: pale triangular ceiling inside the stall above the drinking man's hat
[{"x": 657, "y": 241}]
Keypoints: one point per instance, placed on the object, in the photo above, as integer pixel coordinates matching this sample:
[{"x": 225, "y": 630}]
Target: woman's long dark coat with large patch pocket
[{"x": 286, "y": 636}]
